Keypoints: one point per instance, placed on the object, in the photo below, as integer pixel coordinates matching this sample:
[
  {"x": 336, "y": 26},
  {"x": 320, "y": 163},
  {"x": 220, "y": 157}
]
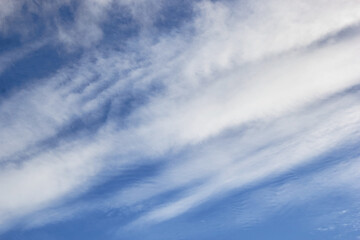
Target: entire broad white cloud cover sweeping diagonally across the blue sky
[{"x": 227, "y": 69}]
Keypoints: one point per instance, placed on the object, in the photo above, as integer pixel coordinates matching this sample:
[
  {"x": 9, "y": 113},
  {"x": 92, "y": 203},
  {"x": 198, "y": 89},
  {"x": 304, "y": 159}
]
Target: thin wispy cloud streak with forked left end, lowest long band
[{"x": 234, "y": 164}]
